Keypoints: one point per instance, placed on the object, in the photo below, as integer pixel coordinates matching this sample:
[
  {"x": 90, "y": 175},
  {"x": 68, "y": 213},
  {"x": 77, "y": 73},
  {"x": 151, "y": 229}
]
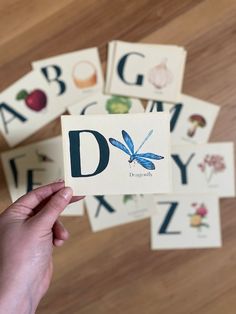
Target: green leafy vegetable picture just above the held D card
[{"x": 118, "y": 104}]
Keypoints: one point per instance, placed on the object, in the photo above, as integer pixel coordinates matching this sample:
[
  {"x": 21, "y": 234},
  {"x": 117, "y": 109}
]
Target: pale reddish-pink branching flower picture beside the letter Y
[{"x": 212, "y": 165}]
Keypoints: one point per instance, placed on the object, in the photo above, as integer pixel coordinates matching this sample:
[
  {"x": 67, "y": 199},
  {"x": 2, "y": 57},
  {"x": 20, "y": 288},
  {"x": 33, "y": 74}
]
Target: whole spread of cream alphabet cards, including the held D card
[{"x": 132, "y": 161}]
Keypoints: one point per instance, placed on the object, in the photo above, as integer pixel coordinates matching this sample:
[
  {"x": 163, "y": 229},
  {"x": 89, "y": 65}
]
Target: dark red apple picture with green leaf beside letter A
[{"x": 36, "y": 100}]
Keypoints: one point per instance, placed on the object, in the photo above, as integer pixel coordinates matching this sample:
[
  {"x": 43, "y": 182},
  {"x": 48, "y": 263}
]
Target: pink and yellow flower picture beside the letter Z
[{"x": 197, "y": 219}]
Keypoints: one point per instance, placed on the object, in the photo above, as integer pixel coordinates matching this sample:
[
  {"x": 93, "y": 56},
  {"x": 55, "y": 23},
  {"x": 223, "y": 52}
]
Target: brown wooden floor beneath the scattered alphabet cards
[{"x": 114, "y": 271}]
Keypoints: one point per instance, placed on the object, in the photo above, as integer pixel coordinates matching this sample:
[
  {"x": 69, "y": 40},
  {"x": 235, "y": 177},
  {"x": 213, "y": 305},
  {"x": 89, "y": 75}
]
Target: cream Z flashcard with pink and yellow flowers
[{"x": 186, "y": 221}]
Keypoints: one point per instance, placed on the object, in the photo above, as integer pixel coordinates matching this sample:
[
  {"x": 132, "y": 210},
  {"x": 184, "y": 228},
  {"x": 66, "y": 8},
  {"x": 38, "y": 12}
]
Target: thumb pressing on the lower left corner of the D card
[{"x": 48, "y": 215}]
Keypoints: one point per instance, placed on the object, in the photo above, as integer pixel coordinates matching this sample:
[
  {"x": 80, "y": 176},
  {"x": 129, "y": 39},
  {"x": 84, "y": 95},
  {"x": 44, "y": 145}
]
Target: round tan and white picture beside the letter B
[{"x": 84, "y": 74}]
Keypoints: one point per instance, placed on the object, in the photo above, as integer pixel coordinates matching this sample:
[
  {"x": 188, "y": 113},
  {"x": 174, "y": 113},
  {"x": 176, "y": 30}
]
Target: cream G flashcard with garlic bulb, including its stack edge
[{"x": 145, "y": 70}]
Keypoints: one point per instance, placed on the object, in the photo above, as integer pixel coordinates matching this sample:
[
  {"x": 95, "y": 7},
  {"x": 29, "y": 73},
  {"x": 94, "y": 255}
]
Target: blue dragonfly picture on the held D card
[{"x": 142, "y": 159}]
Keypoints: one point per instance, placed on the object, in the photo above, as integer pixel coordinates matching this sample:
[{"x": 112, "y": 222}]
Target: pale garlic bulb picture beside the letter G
[{"x": 160, "y": 76}]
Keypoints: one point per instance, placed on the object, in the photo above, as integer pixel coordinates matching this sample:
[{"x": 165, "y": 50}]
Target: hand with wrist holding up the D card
[{"x": 28, "y": 230}]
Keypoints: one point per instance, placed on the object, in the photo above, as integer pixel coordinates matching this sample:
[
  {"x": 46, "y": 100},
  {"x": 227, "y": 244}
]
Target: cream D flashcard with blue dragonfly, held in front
[{"x": 117, "y": 154}]
